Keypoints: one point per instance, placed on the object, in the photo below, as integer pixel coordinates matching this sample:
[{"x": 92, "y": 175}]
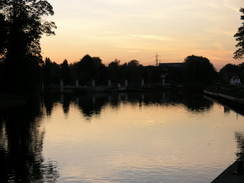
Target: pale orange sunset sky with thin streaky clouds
[{"x": 138, "y": 29}]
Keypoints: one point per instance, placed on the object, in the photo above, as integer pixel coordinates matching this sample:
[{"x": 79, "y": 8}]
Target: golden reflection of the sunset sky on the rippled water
[{"x": 141, "y": 143}]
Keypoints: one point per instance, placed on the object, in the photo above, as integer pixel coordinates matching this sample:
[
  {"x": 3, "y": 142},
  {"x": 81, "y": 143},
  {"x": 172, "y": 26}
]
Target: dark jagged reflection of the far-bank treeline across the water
[{"x": 92, "y": 104}]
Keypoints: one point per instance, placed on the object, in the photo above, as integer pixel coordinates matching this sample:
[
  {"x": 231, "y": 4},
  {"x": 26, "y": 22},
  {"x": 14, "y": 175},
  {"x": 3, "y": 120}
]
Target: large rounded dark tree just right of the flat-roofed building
[{"x": 198, "y": 69}]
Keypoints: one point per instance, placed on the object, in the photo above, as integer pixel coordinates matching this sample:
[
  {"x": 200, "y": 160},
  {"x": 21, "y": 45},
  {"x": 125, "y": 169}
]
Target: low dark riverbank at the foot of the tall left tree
[{"x": 8, "y": 100}]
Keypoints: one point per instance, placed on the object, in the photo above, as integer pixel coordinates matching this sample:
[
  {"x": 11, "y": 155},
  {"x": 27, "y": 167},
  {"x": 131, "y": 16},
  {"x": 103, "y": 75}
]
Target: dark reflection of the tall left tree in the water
[{"x": 21, "y": 144}]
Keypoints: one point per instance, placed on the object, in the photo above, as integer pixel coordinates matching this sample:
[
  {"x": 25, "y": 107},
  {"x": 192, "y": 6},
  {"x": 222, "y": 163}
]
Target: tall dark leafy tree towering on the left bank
[{"x": 23, "y": 28}]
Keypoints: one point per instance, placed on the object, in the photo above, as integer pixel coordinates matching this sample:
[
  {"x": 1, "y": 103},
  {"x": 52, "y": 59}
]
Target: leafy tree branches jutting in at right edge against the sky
[{"x": 238, "y": 54}]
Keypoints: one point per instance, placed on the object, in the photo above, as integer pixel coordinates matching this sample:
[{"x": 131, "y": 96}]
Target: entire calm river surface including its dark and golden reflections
[{"x": 134, "y": 137}]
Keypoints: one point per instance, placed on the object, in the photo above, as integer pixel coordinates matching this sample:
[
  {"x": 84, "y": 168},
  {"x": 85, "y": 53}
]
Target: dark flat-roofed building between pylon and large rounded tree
[{"x": 171, "y": 73}]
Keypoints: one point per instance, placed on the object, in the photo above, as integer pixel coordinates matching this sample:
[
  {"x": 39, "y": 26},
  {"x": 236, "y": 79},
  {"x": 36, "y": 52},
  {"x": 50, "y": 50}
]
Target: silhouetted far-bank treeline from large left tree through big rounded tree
[{"x": 194, "y": 69}]
